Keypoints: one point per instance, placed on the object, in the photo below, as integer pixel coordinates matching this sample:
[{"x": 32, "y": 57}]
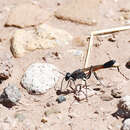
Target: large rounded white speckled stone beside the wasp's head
[{"x": 39, "y": 77}]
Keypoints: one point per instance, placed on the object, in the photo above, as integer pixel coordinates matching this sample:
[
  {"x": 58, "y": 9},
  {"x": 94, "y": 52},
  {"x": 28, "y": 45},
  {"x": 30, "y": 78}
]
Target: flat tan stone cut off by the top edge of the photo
[{"x": 79, "y": 11}]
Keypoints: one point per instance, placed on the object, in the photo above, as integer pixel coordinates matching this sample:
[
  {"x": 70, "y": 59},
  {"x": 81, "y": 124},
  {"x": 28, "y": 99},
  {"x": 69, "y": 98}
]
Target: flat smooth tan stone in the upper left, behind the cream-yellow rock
[{"x": 27, "y": 14}]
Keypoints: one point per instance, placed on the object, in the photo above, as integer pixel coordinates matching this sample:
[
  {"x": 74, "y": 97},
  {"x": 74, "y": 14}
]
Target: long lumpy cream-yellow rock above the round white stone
[{"x": 42, "y": 37}]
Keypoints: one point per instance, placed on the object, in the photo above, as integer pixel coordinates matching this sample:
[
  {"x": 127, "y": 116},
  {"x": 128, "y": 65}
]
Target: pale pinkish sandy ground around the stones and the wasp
[{"x": 95, "y": 114}]
